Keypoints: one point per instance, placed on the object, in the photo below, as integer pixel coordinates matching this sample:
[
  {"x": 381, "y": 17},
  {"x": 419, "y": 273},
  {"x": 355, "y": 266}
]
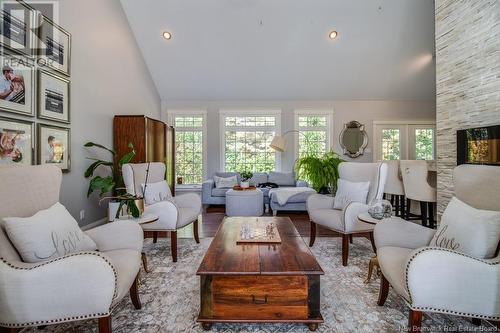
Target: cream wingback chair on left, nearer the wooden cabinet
[{"x": 174, "y": 213}]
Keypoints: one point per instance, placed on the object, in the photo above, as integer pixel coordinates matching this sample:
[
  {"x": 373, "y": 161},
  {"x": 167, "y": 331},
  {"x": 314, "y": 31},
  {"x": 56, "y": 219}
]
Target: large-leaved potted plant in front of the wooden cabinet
[{"x": 113, "y": 183}]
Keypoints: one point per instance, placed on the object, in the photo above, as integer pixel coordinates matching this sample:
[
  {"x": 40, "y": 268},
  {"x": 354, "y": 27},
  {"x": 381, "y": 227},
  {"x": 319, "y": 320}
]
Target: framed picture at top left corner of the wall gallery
[{"x": 17, "y": 24}]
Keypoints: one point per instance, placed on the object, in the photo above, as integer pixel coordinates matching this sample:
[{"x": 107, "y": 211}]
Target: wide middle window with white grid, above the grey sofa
[{"x": 246, "y": 139}]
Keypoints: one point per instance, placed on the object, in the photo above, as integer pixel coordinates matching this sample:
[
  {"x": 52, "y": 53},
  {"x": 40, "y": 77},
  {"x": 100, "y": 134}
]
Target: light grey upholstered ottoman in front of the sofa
[{"x": 244, "y": 203}]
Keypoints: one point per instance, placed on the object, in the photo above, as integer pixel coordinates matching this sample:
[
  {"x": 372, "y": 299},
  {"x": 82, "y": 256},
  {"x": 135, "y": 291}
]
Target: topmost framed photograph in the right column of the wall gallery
[{"x": 54, "y": 46}]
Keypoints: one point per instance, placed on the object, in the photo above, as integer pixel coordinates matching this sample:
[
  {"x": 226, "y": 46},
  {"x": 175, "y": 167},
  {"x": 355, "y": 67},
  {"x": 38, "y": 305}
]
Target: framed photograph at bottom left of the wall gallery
[{"x": 16, "y": 142}]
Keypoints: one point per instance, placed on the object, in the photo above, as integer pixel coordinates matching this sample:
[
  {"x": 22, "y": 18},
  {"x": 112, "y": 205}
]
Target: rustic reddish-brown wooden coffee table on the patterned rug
[{"x": 259, "y": 283}]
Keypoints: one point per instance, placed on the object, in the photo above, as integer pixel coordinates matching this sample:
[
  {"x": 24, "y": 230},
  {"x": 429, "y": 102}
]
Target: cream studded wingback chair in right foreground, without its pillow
[{"x": 434, "y": 279}]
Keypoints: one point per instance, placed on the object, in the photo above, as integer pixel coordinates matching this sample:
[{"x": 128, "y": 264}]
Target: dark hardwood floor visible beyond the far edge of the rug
[{"x": 210, "y": 221}]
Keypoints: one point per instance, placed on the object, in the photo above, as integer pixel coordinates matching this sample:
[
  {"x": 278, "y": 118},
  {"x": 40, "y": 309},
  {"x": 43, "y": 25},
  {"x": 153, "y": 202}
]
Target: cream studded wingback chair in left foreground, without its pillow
[{"x": 74, "y": 287}]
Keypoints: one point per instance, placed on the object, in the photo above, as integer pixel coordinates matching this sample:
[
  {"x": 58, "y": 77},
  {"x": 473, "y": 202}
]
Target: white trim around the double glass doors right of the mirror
[{"x": 407, "y": 125}]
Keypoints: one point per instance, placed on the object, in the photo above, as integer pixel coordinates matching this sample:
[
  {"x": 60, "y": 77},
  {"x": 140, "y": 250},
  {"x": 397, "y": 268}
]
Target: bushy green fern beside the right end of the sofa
[{"x": 321, "y": 172}]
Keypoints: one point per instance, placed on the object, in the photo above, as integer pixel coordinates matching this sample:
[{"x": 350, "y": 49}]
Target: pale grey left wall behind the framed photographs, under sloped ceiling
[{"x": 108, "y": 77}]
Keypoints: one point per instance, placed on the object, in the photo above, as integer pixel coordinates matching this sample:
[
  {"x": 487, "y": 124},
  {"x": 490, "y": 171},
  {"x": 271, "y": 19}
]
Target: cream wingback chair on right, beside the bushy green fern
[{"x": 345, "y": 222}]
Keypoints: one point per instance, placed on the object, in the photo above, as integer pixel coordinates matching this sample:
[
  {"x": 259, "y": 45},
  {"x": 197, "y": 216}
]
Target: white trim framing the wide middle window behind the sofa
[{"x": 248, "y": 112}]
